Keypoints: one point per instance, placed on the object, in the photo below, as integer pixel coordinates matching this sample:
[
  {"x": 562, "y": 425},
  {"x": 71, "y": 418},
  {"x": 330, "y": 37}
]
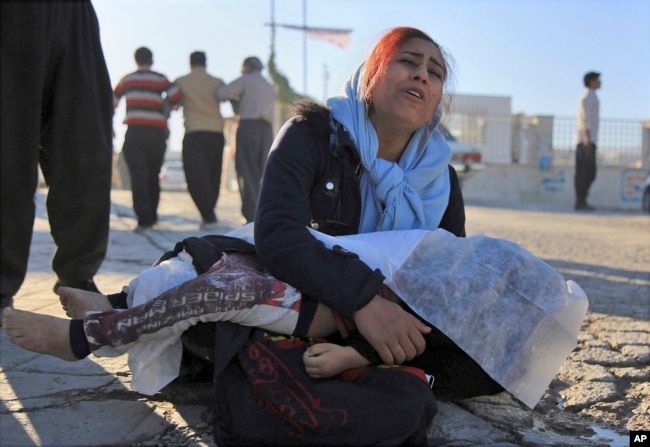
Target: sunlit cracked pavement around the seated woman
[{"x": 601, "y": 392}]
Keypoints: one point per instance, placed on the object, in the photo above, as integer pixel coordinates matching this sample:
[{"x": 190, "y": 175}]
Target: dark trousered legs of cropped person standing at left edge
[{"x": 57, "y": 112}]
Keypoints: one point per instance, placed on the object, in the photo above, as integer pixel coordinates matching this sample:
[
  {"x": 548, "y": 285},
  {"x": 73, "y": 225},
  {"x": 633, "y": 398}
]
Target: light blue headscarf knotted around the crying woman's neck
[{"x": 410, "y": 194}]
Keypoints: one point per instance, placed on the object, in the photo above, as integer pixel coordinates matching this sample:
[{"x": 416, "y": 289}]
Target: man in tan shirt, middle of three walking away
[{"x": 204, "y": 140}]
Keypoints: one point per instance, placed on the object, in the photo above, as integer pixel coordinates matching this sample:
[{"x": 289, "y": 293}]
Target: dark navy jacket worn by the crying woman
[{"x": 311, "y": 180}]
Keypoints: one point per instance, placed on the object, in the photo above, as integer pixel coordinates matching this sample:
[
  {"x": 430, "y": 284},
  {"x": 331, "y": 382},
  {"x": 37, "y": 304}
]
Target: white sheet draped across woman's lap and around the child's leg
[{"x": 507, "y": 309}]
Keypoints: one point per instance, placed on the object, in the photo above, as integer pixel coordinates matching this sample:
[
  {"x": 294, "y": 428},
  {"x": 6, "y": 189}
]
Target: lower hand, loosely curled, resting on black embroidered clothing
[{"x": 323, "y": 360}]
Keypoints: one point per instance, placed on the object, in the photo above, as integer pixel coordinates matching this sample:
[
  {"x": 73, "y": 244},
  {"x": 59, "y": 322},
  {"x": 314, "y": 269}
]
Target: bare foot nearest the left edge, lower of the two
[{"x": 40, "y": 333}]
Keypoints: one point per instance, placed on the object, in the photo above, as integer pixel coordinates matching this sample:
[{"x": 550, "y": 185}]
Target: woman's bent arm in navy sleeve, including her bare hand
[{"x": 293, "y": 176}]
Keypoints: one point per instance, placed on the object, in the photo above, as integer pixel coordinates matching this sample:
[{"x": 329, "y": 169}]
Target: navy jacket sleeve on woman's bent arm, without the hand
[{"x": 296, "y": 163}]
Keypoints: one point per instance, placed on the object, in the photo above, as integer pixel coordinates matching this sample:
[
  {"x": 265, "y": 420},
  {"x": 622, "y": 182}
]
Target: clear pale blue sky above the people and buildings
[{"x": 533, "y": 51}]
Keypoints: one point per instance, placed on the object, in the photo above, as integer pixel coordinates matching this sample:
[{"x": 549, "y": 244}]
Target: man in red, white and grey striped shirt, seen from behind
[{"x": 145, "y": 141}]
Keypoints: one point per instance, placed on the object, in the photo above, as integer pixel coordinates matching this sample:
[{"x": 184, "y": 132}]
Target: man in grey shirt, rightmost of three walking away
[{"x": 253, "y": 100}]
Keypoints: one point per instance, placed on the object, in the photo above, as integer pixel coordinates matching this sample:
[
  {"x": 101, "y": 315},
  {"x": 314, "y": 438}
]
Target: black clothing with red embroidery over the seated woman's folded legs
[{"x": 265, "y": 397}]
